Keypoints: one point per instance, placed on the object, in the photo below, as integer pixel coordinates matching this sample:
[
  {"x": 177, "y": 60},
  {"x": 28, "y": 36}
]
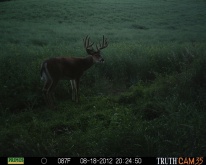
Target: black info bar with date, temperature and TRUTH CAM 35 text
[{"x": 103, "y": 160}]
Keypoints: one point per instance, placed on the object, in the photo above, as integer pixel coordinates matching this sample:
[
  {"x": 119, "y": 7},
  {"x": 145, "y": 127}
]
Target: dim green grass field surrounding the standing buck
[{"x": 147, "y": 99}]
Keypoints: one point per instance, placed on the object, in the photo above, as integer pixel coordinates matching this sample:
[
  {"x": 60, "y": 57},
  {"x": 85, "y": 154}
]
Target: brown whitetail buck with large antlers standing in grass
[{"x": 71, "y": 68}]
